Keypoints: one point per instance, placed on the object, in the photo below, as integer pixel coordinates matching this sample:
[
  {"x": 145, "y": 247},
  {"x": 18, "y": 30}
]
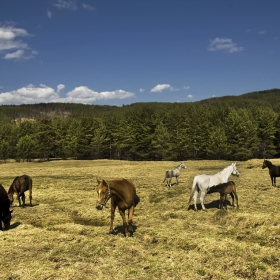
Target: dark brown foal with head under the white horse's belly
[{"x": 225, "y": 189}]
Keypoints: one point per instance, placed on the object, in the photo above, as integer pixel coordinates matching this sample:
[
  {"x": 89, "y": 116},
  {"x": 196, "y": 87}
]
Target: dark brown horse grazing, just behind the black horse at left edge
[{"x": 19, "y": 186}]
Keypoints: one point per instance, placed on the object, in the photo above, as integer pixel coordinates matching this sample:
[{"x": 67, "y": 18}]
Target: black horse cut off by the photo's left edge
[{"x": 5, "y": 213}]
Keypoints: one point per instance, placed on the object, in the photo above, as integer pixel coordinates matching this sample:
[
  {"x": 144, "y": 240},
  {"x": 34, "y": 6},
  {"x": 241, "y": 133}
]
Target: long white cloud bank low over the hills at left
[{"x": 44, "y": 94}]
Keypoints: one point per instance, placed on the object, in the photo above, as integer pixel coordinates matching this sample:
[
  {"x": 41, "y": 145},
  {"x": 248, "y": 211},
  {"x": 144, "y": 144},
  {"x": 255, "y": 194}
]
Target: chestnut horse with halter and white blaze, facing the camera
[{"x": 123, "y": 195}]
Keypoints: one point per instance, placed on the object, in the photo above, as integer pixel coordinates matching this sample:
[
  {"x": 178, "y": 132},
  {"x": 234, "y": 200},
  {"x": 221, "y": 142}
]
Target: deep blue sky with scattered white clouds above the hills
[{"x": 119, "y": 52}]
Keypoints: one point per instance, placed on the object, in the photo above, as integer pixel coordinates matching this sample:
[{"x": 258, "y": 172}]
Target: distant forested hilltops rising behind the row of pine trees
[{"x": 268, "y": 98}]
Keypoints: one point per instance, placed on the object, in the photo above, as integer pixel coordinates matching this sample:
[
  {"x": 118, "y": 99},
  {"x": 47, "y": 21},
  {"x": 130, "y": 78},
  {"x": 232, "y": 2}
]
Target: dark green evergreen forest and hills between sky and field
[{"x": 231, "y": 128}]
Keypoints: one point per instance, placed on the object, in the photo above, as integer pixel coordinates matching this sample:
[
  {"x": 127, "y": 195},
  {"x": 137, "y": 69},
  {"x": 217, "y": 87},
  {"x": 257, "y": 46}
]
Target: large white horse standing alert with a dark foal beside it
[{"x": 203, "y": 182}]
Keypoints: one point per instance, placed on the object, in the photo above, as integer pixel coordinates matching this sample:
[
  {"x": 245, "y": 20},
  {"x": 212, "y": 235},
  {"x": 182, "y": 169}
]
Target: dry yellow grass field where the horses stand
[{"x": 63, "y": 236}]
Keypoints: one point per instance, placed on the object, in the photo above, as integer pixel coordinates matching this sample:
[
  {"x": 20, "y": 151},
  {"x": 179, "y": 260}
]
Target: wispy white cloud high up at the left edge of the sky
[{"x": 11, "y": 46}]
